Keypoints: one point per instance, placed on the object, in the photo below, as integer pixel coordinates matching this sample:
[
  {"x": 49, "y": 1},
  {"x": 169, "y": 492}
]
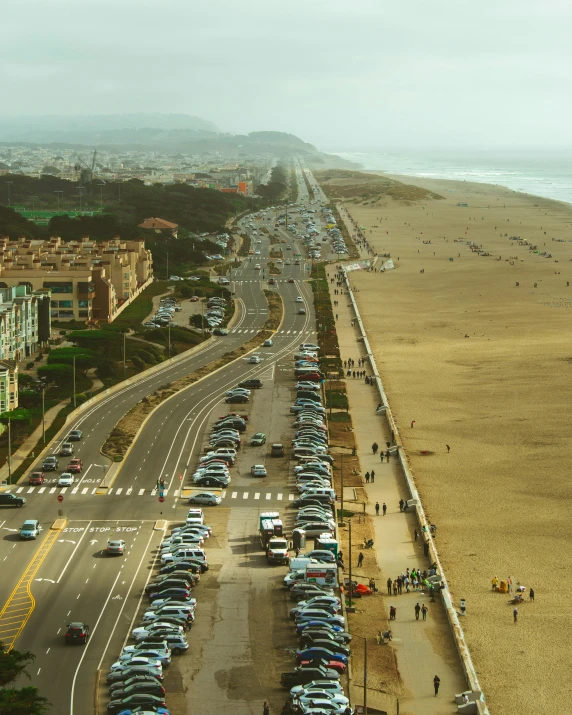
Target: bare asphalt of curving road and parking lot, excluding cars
[{"x": 66, "y": 575}]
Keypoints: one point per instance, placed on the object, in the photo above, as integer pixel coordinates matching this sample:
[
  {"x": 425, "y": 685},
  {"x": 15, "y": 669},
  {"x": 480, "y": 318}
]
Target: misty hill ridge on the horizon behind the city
[{"x": 170, "y": 133}]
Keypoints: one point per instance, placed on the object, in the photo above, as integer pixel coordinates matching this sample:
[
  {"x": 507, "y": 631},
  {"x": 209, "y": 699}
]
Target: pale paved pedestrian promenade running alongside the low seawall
[{"x": 423, "y": 649}]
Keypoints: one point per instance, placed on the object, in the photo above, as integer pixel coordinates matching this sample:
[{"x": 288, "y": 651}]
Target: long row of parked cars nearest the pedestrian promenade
[{"x": 323, "y": 647}]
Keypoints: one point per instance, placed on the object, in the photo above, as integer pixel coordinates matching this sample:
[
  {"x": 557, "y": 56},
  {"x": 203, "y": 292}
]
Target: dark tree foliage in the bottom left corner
[{"x": 18, "y": 701}]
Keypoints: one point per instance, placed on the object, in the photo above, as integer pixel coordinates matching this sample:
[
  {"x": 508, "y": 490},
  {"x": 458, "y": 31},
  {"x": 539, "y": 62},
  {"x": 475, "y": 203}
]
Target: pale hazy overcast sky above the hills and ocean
[{"x": 341, "y": 74}]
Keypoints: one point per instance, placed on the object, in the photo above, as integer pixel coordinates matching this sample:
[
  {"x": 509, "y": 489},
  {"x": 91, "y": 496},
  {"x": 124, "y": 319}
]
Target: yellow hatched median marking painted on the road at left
[{"x": 20, "y": 604}]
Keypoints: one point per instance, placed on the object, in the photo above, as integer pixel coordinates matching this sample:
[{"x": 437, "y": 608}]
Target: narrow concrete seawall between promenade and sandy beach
[{"x": 453, "y": 618}]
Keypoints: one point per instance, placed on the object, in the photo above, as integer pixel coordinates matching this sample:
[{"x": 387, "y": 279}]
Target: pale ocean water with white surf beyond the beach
[{"x": 548, "y": 175}]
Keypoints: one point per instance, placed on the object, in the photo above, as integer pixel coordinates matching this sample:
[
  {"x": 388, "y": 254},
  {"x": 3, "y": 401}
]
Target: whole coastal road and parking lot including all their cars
[{"x": 142, "y": 586}]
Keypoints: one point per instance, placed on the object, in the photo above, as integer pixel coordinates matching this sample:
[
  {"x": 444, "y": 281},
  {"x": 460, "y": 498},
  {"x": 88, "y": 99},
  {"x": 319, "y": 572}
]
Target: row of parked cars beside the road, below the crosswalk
[{"x": 135, "y": 680}]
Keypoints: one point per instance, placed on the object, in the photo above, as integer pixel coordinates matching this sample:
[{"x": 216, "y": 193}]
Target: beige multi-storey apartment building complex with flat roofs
[{"x": 89, "y": 281}]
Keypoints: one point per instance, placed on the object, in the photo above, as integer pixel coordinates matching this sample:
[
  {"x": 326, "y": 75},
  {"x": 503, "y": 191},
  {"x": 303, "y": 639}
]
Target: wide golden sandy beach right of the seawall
[{"x": 485, "y": 366}]
